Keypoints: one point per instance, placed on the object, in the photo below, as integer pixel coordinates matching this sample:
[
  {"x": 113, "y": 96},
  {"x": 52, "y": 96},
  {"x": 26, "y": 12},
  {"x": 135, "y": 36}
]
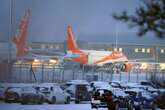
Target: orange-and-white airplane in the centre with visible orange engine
[{"x": 93, "y": 57}]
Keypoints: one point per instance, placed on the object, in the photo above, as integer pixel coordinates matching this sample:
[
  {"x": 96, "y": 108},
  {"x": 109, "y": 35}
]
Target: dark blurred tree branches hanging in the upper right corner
[{"x": 149, "y": 17}]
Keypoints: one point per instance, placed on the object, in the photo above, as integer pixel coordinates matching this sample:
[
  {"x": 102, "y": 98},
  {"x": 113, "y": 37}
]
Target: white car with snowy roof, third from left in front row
[{"x": 53, "y": 93}]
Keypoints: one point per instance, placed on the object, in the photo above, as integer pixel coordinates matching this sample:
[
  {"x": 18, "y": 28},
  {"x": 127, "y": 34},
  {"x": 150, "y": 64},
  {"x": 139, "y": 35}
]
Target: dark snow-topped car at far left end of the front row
[{"x": 12, "y": 94}]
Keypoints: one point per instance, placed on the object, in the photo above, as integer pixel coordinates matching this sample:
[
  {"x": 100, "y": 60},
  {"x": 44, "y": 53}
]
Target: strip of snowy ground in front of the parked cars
[{"x": 47, "y": 107}]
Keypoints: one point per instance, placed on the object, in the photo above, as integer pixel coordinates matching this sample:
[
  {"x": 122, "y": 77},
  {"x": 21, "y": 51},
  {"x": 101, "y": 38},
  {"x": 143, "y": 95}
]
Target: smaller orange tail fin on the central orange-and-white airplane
[{"x": 71, "y": 42}]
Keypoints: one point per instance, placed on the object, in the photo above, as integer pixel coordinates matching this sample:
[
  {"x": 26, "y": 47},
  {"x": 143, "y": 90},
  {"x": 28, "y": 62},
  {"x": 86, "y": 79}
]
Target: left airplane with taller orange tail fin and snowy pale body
[{"x": 24, "y": 53}]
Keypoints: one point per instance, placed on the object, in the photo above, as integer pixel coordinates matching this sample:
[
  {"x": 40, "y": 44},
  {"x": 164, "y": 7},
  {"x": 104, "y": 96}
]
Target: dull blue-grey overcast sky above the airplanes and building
[{"x": 91, "y": 20}]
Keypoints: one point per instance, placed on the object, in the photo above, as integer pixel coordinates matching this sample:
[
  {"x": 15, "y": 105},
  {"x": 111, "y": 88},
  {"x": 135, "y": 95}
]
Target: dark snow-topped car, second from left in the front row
[{"x": 31, "y": 95}]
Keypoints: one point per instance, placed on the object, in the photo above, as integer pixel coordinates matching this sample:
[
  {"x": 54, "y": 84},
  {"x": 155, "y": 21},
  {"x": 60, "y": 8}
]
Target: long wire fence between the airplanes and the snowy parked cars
[{"x": 27, "y": 73}]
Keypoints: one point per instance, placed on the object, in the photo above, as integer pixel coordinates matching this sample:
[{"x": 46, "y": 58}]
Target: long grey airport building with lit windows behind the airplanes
[{"x": 156, "y": 53}]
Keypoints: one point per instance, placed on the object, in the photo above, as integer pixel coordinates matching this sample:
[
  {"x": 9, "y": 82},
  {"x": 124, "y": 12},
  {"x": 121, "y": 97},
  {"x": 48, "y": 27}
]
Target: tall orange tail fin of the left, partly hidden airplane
[{"x": 21, "y": 39}]
